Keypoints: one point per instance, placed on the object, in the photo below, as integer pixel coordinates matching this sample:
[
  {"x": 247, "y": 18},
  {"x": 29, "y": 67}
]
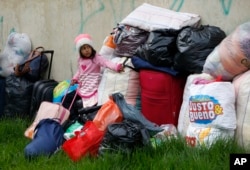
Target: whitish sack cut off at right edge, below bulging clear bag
[{"x": 242, "y": 90}]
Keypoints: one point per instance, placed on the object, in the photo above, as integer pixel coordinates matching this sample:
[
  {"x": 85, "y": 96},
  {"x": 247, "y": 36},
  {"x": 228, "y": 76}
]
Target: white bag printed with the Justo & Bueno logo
[{"x": 213, "y": 105}]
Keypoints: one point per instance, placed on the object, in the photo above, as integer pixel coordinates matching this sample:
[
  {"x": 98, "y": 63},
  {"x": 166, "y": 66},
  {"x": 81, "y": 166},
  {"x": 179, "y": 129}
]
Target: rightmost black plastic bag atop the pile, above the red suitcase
[{"x": 194, "y": 46}]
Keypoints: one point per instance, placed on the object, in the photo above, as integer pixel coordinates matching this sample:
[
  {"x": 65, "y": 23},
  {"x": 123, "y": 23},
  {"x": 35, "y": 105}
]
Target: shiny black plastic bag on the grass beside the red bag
[{"x": 124, "y": 136}]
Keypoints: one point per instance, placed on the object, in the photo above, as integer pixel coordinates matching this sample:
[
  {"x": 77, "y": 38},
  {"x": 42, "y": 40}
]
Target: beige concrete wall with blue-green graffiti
[{"x": 55, "y": 23}]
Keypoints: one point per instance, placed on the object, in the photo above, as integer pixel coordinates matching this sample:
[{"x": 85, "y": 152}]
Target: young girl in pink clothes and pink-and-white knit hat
[{"x": 88, "y": 74}]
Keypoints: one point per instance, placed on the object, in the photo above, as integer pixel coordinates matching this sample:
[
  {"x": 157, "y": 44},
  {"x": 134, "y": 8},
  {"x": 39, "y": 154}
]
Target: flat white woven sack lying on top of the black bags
[{"x": 149, "y": 17}]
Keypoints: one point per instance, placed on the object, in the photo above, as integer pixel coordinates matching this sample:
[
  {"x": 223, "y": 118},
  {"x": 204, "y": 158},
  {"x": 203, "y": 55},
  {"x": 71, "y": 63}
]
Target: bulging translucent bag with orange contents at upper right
[{"x": 232, "y": 56}]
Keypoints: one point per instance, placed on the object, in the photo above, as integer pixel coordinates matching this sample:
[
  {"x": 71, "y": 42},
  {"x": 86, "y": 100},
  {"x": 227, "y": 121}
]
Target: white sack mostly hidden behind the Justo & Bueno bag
[{"x": 183, "y": 120}]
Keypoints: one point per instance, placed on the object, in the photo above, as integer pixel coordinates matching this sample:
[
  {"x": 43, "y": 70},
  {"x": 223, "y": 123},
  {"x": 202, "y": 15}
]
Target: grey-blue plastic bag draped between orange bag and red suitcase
[{"x": 131, "y": 113}]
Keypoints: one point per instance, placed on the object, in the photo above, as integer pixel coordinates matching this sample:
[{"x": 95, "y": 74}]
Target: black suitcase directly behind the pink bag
[{"x": 42, "y": 91}]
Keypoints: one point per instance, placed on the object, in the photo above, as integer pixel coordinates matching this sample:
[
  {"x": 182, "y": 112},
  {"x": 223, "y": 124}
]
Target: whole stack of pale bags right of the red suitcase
[{"x": 224, "y": 80}]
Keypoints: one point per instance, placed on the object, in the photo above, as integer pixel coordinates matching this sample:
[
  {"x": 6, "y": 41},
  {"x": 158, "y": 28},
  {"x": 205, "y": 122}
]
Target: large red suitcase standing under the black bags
[{"x": 161, "y": 96}]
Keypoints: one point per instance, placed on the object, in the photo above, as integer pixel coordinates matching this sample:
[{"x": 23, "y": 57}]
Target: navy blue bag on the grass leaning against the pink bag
[{"x": 48, "y": 139}]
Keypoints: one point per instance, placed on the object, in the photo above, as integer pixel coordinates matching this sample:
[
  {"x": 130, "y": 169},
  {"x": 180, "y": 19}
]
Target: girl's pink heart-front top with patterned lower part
[{"x": 88, "y": 74}]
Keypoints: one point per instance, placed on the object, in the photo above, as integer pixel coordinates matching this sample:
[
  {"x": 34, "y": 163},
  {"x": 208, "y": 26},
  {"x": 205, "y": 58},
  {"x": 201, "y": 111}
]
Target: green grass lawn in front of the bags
[{"x": 171, "y": 155}]
